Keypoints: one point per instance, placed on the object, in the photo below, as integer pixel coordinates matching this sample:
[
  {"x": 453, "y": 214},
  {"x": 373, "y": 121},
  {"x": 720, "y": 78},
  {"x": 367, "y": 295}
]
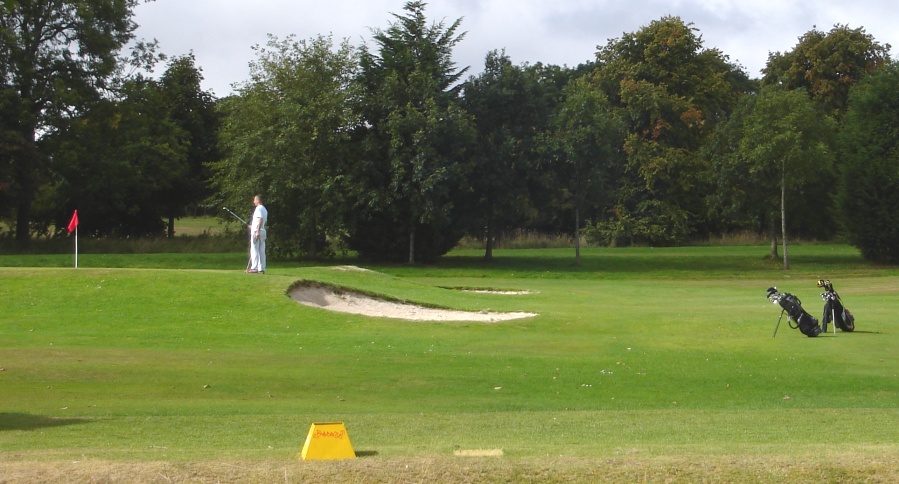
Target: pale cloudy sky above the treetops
[{"x": 221, "y": 33}]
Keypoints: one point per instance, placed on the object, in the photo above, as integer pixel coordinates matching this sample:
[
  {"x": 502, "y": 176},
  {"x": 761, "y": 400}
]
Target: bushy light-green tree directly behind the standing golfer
[{"x": 287, "y": 135}]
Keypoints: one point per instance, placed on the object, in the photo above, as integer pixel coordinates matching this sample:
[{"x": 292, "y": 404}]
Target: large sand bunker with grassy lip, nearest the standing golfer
[{"x": 349, "y": 302}]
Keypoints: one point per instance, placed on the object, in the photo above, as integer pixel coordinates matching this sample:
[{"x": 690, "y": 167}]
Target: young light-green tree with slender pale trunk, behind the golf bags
[{"x": 775, "y": 136}]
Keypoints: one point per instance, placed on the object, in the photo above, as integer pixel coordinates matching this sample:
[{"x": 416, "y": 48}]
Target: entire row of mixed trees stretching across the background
[{"x": 390, "y": 148}]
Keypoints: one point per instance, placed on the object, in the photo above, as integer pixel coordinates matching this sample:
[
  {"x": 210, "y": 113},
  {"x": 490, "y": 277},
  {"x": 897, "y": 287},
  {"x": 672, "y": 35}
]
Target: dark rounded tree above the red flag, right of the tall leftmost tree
[{"x": 118, "y": 162}]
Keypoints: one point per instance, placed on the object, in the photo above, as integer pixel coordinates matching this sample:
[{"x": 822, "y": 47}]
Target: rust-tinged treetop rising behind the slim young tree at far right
[{"x": 827, "y": 65}]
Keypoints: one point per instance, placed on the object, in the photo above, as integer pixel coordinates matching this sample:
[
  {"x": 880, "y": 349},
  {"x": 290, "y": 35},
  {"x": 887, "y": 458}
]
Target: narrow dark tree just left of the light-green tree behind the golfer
[{"x": 192, "y": 110}]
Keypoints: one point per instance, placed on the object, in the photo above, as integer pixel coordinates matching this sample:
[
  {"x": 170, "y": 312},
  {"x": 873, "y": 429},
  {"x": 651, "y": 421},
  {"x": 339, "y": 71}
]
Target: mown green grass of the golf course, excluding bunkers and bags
[{"x": 643, "y": 364}]
